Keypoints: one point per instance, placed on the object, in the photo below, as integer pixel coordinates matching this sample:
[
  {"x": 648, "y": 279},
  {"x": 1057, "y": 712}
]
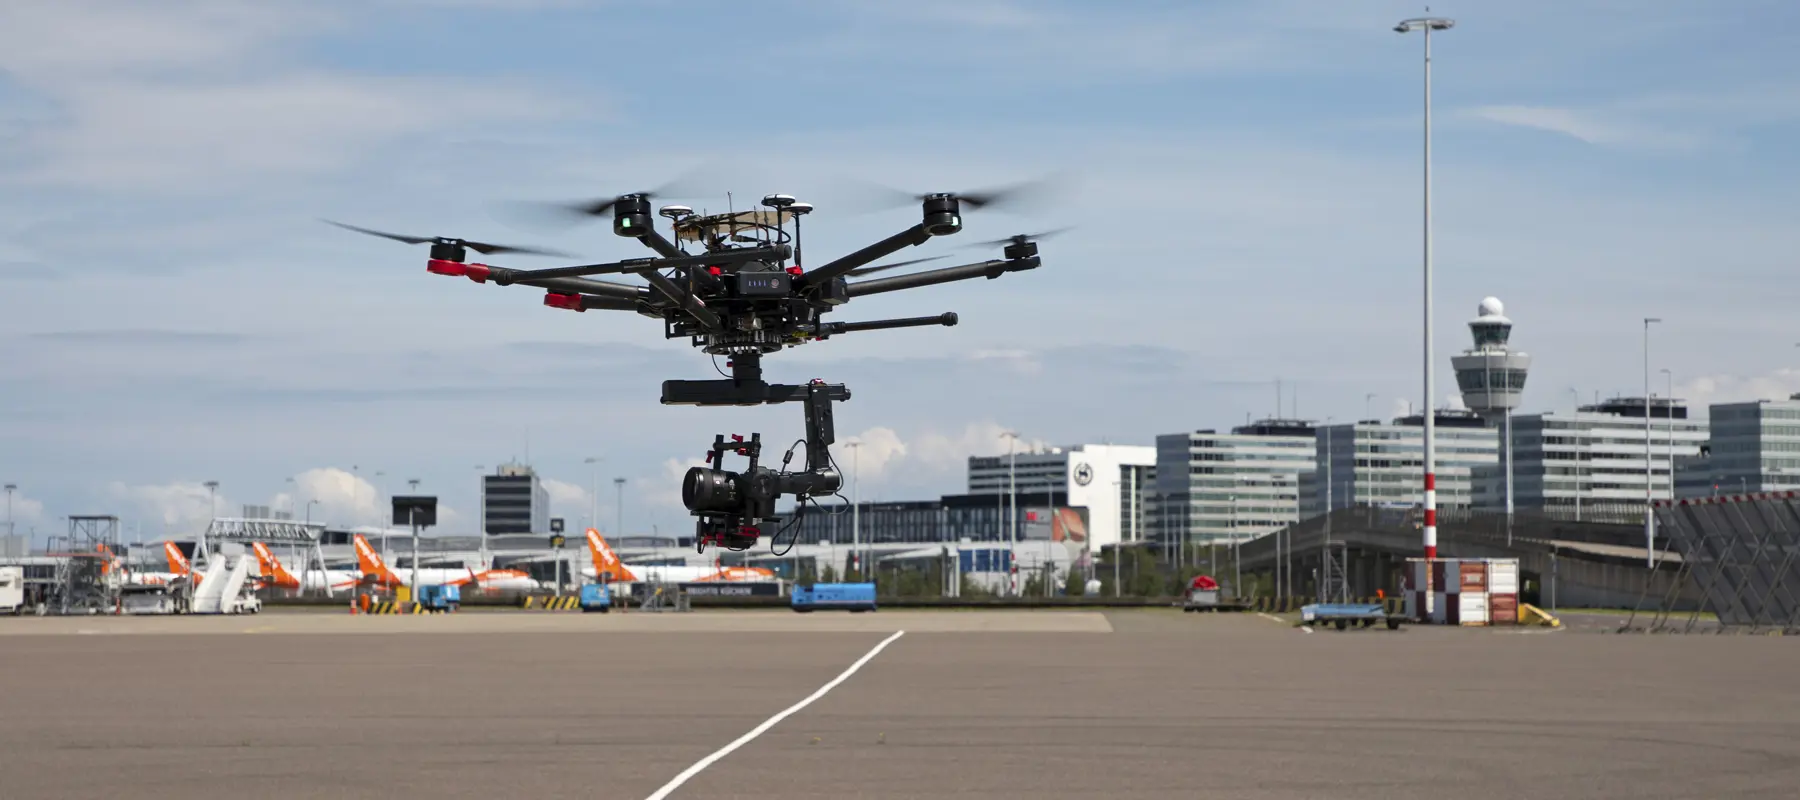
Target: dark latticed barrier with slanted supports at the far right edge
[{"x": 1743, "y": 554}]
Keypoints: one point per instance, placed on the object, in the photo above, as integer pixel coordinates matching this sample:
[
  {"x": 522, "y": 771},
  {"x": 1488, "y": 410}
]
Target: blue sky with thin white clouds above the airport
[{"x": 1243, "y": 181}]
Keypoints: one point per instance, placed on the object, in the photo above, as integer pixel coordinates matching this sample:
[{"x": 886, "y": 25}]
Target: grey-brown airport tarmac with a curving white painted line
[{"x": 1032, "y": 705}]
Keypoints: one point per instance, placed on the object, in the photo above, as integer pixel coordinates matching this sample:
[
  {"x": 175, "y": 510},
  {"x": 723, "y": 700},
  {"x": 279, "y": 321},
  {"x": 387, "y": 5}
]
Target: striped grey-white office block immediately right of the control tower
[{"x": 1590, "y": 466}]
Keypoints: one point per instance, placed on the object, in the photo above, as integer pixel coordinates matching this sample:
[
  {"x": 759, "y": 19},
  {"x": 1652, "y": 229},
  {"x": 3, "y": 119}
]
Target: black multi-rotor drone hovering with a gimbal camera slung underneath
[{"x": 742, "y": 295}]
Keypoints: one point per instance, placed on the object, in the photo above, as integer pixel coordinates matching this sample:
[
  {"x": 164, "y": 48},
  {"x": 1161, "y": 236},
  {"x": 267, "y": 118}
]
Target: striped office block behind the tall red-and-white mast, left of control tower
[{"x": 1383, "y": 464}]
